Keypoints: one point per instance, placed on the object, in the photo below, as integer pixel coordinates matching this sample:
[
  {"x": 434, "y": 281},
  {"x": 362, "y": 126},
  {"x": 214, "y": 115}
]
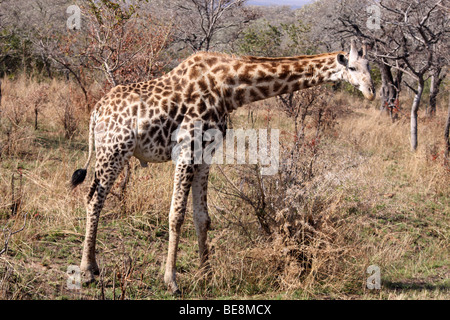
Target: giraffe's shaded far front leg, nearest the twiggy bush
[{"x": 201, "y": 218}]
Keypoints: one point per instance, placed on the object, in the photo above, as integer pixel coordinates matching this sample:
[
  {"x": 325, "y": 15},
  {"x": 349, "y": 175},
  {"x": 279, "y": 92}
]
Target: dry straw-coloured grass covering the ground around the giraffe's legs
[{"x": 369, "y": 201}]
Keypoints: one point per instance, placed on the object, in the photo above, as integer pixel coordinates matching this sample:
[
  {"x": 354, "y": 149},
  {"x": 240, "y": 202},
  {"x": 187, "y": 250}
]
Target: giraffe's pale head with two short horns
[{"x": 356, "y": 71}]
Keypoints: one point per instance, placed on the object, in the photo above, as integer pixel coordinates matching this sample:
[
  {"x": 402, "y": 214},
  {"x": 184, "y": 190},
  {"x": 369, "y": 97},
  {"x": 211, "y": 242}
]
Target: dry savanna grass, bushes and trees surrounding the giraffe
[{"x": 359, "y": 183}]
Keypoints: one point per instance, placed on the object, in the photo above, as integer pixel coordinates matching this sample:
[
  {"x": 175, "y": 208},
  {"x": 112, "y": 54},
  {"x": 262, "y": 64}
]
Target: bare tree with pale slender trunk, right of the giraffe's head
[{"x": 406, "y": 41}]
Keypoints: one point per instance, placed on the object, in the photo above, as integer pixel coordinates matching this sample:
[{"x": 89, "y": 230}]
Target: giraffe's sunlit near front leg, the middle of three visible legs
[{"x": 182, "y": 185}]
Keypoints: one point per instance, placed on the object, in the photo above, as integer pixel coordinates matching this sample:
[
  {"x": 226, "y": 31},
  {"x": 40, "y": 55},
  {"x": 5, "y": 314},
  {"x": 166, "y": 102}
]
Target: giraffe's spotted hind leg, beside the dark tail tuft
[{"x": 108, "y": 166}]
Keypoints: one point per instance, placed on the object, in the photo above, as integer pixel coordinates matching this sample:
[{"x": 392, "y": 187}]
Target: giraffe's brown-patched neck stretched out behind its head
[{"x": 251, "y": 79}]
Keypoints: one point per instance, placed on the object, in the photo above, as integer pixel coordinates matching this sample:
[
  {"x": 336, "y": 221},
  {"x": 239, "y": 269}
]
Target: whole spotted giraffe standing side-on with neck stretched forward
[{"x": 138, "y": 120}]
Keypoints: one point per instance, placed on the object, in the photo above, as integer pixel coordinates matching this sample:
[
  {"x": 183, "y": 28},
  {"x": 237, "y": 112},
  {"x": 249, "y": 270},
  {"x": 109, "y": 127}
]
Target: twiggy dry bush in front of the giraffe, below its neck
[{"x": 295, "y": 219}]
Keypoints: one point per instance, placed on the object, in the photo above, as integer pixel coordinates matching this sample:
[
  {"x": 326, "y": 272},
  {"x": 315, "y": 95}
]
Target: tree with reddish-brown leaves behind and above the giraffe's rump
[{"x": 118, "y": 43}]
